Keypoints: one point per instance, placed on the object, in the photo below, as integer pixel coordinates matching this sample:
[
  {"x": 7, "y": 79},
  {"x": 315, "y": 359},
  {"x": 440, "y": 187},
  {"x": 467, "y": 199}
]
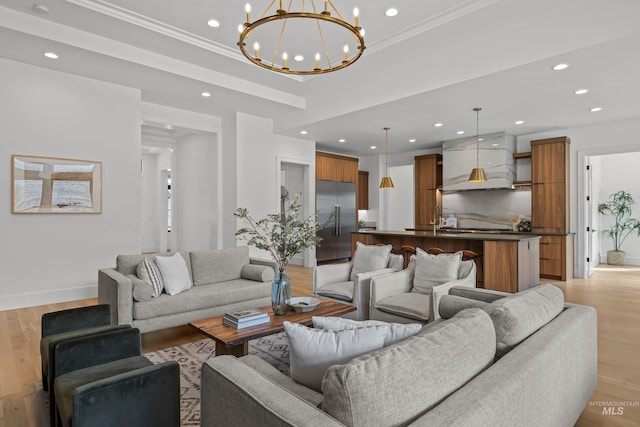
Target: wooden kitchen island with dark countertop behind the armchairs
[{"x": 509, "y": 262}]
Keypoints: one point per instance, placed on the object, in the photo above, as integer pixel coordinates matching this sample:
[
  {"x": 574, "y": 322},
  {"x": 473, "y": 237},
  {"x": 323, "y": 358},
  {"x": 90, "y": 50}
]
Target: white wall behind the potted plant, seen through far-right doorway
[{"x": 611, "y": 182}]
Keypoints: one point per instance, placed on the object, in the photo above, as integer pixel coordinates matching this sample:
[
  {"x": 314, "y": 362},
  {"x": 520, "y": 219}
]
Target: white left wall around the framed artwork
[{"x": 50, "y": 258}]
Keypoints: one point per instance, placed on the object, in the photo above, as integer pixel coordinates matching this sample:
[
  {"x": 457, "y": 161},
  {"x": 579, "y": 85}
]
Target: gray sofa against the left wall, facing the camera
[{"x": 223, "y": 280}]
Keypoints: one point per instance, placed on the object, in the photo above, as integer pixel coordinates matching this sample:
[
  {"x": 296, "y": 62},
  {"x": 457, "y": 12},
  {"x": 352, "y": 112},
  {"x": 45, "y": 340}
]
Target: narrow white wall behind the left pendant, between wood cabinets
[{"x": 400, "y": 206}]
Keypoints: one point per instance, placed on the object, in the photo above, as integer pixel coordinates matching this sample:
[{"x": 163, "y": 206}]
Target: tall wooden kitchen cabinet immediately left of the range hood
[{"x": 428, "y": 182}]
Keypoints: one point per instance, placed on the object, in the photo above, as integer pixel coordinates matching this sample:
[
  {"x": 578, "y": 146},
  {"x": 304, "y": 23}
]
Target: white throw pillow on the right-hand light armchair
[{"x": 433, "y": 270}]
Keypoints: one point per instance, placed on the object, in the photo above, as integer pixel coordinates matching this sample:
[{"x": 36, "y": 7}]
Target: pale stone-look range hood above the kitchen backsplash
[{"x": 495, "y": 156}]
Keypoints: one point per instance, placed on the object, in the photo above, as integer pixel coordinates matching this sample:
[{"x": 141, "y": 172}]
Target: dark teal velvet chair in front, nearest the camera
[{"x": 103, "y": 380}]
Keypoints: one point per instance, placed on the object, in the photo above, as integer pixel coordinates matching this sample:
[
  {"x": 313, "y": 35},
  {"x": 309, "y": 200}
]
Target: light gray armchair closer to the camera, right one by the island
[{"x": 395, "y": 298}]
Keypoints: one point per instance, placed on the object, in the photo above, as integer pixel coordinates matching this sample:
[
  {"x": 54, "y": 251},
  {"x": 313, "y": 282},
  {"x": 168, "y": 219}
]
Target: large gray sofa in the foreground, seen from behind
[{"x": 493, "y": 359}]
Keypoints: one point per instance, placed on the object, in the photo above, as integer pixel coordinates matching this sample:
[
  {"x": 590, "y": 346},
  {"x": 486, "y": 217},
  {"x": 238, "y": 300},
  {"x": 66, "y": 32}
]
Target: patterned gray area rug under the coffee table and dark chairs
[{"x": 273, "y": 349}]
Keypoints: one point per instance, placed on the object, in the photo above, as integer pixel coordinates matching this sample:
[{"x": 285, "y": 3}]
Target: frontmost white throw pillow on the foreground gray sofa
[{"x": 313, "y": 351}]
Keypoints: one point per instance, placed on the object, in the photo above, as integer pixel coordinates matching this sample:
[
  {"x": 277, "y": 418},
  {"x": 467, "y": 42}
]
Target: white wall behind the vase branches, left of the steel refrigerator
[{"x": 259, "y": 152}]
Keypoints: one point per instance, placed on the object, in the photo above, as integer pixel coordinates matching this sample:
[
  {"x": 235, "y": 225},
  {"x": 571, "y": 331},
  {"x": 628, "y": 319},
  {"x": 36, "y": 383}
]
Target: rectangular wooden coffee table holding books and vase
[{"x": 236, "y": 341}]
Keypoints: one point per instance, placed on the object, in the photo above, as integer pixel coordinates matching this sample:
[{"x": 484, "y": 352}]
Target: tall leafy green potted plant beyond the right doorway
[{"x": 619, "y": 207}]
